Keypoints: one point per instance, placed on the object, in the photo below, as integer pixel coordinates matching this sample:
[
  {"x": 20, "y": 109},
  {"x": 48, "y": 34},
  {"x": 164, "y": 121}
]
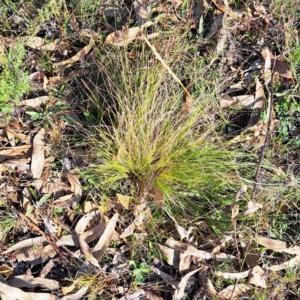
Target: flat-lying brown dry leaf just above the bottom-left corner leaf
[{"x": 28, "y": 281}]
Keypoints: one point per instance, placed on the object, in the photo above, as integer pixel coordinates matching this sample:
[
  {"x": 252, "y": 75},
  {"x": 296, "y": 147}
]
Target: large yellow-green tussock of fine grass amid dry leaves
[{"x": 145, "y": 136}]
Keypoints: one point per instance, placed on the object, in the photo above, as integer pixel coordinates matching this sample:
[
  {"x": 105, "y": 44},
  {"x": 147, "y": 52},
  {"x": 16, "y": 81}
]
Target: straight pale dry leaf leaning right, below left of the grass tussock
[{"x": 106, "y": 237}]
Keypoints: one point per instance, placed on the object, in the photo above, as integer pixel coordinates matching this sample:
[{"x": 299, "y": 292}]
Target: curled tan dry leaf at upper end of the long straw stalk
[{"x": 121, "y": 38}]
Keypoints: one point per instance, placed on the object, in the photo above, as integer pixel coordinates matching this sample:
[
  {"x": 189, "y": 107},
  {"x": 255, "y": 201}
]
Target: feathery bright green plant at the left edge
[{"x": 13, "y": 80}]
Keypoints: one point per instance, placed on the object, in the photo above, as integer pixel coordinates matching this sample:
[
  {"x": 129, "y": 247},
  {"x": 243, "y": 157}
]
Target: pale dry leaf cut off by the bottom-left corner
[{"x": 12, "y": 293}]
